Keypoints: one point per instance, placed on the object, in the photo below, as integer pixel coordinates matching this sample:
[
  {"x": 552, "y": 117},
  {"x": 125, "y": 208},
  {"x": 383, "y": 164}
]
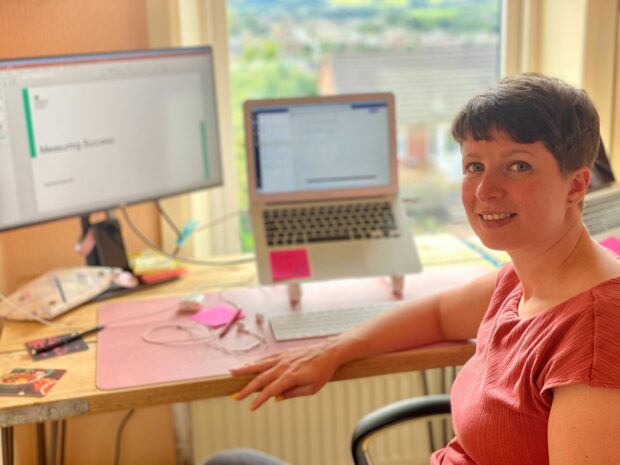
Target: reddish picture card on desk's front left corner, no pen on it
[{"x": 35, "y": 382}]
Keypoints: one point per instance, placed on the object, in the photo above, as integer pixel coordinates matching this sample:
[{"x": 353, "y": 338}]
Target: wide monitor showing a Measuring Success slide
[{"x": 91, "y": 132}]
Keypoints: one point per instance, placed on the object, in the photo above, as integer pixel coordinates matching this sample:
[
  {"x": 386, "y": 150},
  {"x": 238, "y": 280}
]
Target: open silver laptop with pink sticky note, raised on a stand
[{"x": 323, "y": 189}]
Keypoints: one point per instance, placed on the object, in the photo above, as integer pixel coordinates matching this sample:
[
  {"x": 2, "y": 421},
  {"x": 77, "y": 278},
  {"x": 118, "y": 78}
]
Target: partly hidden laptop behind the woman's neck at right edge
[{"x": 601, "y": 206}]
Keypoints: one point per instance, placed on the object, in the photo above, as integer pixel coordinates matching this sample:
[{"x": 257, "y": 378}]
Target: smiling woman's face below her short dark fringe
[{"x": 514, "y": 194}]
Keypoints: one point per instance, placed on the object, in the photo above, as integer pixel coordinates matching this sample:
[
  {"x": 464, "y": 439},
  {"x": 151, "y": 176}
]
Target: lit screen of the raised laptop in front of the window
[{"x": 320, "y": 145}]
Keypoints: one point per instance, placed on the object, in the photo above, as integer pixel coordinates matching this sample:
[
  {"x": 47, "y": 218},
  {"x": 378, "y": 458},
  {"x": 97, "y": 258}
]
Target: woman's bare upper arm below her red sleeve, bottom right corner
[{"x": 584, "y": 426}]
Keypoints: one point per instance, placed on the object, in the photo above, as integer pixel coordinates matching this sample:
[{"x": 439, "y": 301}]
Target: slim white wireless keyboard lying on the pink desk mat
[{"x": 326, "y": 322}]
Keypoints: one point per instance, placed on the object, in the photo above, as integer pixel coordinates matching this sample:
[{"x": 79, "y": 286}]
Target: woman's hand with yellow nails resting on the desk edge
[{"x": 292, "y": 373}]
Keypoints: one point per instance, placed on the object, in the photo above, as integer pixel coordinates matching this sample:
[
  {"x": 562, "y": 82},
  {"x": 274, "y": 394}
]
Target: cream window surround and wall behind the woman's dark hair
[{"x": 574, "y": 40}]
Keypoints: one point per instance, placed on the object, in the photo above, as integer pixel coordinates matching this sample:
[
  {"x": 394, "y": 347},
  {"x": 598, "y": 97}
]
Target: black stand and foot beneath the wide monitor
[{"x": 109, "y": 250}]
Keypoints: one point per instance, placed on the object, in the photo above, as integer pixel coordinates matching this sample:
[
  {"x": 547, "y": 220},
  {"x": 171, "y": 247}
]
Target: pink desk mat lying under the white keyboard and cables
[{"x": 125, "y": 360}]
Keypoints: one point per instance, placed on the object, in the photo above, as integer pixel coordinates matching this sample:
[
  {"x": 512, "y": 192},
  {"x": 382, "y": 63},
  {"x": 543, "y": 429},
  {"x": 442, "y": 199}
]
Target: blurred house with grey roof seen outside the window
[{"x": 430, "y": 84}]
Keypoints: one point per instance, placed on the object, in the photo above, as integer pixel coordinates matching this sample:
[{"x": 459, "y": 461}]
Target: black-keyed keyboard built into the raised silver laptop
[{"x": 328, "y": 223}]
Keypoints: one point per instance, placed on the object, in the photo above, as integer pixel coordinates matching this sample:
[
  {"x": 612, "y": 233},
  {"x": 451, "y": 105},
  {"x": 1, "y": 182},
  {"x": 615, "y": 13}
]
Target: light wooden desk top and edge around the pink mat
[{"x": 77, "y": 394}]
